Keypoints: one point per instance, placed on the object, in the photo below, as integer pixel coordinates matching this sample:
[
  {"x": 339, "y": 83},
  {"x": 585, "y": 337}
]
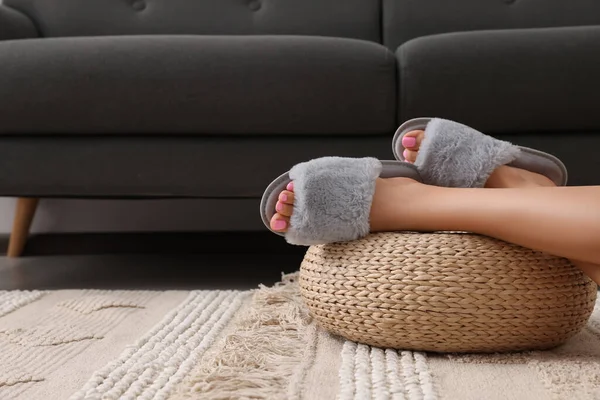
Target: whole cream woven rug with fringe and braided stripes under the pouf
[{"x": 90, "y": 344}]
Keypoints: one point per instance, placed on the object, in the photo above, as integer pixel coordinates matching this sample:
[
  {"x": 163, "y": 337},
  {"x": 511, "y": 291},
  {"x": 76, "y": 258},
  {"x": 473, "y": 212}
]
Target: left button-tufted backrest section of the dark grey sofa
[{"x": 359, "y": 19}]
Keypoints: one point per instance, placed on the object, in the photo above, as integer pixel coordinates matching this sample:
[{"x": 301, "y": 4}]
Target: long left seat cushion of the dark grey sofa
[{"x": 196, "y": 85}]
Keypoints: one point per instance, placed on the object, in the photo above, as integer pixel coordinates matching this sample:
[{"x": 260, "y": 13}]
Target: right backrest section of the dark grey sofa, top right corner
[{"x": 404, "y": 20}]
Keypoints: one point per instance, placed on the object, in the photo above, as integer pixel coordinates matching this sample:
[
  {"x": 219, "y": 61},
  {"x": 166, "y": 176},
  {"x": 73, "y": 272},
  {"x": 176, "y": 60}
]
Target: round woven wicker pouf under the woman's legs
[{"x": 445, "y": 292}]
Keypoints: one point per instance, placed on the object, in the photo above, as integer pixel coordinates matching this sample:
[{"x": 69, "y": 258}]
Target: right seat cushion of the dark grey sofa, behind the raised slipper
[{"x": 530, "y": 80}]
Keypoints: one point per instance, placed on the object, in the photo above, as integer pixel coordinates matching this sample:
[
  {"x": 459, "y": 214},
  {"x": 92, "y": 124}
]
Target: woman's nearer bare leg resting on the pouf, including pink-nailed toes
[{"x": 564, "y": 221}]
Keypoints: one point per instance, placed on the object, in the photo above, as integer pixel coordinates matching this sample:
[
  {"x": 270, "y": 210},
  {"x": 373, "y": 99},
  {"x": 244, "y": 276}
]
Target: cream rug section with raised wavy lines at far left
[{"x": 46, "y": 337}]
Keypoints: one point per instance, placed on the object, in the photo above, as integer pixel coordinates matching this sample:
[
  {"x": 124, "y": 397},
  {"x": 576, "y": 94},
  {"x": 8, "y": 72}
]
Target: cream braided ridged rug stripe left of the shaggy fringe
[{"x": 152, "y": 367}]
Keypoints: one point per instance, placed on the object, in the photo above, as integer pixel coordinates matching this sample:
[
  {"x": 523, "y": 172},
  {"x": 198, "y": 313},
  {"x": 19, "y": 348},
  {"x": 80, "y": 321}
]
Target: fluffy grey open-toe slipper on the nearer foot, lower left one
[{"x": 332, "y": 197}]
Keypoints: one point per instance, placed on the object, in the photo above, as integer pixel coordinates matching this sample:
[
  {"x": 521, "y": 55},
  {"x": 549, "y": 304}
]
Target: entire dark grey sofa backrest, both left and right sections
[{"x": 391, "y": 22}]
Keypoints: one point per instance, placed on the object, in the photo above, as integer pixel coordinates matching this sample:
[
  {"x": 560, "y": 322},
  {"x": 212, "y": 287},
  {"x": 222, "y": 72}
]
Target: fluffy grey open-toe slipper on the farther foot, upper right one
[{"x": 455, "y": 155}]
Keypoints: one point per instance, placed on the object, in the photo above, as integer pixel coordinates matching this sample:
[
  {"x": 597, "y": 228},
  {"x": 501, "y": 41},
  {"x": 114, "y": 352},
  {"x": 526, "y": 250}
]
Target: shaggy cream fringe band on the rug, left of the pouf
[{"x": 264, "y": 351}]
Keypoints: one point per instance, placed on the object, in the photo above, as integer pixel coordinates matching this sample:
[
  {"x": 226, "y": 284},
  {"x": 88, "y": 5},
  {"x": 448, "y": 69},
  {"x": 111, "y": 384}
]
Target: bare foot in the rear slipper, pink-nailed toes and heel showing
[{"x": 503, "y": 177}]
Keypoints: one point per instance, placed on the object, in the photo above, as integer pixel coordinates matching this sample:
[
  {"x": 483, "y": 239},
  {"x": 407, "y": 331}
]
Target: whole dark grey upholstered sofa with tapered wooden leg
[{"x": 177, "y": 98}]
